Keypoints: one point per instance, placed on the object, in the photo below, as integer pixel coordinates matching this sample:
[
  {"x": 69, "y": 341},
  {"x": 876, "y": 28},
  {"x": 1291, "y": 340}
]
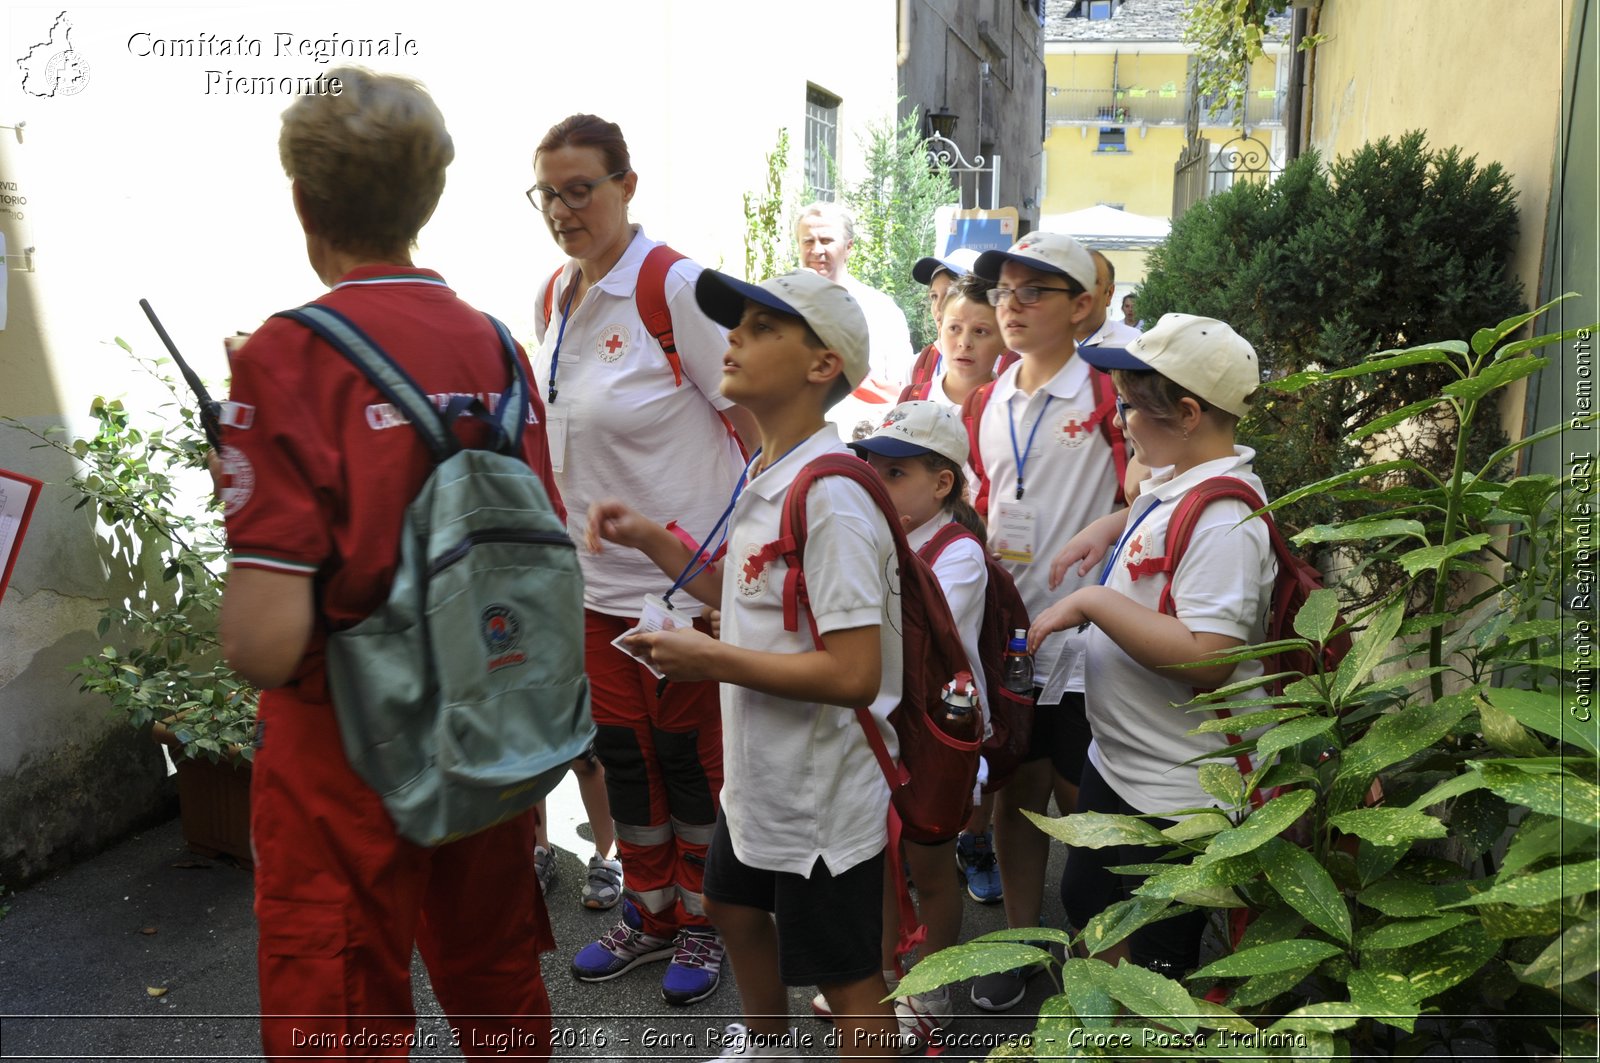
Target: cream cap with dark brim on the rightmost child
[{"x": 1201, "y": 355}]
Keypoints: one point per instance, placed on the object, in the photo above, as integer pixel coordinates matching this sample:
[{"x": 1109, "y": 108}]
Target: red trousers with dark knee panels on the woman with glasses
[{"x": 663, "y": 776}]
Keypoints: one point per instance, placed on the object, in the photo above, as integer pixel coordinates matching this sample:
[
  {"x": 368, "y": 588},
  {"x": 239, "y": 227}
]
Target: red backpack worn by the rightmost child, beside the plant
[{"x": 1294, "y": 584}]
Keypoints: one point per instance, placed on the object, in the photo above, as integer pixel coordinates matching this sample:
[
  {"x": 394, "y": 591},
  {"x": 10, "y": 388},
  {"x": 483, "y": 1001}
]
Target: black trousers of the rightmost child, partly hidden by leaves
[{"x": 1089, "y": 888}]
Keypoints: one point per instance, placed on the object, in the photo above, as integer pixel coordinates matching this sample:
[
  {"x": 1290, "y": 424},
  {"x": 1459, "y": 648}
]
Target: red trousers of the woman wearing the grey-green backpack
[{"x": 342, "y": 899}]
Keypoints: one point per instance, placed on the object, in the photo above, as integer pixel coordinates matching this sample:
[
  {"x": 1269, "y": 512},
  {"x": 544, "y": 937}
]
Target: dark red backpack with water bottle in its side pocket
[{"x": 1010, "y": 715}]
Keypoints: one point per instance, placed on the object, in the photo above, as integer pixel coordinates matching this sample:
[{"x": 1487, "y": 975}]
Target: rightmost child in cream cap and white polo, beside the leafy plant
[{"x": 1182, "y": 390}]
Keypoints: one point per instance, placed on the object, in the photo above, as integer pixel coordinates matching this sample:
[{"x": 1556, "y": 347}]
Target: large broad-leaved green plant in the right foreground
[{"x": 1441, "y": 788}]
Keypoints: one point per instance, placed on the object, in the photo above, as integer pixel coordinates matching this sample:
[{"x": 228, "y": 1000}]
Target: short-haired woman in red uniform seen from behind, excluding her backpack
[{"x": 316, "y": 476}]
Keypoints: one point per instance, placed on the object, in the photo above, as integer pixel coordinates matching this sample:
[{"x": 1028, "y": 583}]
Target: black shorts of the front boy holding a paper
[{"x": 830, "y": 928}]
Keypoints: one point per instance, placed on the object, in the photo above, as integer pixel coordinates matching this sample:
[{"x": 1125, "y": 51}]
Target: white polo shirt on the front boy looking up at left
[{"x": 799, "y": 779}]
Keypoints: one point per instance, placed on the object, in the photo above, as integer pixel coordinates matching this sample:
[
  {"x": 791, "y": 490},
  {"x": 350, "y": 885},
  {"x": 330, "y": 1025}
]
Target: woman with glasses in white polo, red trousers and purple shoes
[{"x": 631, "y": 375}]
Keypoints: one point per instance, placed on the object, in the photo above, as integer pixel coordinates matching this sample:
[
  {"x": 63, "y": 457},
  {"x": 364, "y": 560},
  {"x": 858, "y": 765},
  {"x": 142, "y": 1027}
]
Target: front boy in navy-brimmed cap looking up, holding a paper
[{"x": 794, "y": 878}]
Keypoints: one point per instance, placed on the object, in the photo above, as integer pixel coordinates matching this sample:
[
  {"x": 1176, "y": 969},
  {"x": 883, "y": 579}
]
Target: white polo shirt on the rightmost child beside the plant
[{"x": 1223, "y": 587}]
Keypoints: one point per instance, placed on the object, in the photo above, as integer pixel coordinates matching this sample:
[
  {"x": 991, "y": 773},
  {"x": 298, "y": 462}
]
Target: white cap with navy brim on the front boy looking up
[{"x": 831, "y": 313}]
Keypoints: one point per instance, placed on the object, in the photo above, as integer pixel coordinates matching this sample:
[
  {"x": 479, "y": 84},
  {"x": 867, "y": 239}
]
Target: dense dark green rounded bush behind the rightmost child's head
[{"x": 1386, "y": 247}]
